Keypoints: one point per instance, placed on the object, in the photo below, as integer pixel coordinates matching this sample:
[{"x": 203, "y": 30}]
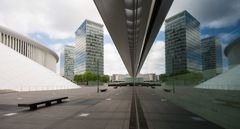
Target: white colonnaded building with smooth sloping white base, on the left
[{"x": 26, "y": 65}]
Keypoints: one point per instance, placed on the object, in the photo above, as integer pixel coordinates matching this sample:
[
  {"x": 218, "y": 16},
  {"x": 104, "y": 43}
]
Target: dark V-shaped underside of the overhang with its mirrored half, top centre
[{"x": 133, "y": 26}]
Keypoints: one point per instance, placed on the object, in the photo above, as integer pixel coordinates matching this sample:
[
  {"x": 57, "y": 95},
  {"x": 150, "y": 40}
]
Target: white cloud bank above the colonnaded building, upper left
[{"x": 57, "y": 18}]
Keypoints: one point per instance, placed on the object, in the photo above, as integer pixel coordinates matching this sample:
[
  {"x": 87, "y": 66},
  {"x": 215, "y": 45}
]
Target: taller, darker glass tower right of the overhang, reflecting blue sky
[{"x": 183, "y": 44}]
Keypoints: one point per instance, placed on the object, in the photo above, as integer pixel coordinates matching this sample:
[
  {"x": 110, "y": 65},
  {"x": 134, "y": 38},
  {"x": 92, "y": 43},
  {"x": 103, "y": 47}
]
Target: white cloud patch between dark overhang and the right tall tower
[{"x": 155, "y": 62}]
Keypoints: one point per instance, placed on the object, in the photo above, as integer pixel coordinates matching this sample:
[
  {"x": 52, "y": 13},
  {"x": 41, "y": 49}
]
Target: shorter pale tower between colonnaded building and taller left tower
[{"x": 67, "y": 62}]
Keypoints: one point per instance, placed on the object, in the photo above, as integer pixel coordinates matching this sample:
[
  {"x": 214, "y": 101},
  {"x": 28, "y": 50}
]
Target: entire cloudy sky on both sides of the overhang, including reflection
[{"x": 53, "y": 23}]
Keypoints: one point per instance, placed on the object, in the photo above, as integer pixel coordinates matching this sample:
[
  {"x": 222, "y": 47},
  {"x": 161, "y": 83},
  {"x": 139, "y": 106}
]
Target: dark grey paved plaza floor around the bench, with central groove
[{"x": 121, "y": 108}]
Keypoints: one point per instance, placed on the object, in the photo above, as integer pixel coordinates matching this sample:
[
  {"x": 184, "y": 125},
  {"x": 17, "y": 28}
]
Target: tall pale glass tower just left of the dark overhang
[{"x": 89, "y": 48}]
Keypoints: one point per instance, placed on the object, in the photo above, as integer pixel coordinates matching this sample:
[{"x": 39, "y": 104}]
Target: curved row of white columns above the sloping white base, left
[{"x": 29, "y": 48}]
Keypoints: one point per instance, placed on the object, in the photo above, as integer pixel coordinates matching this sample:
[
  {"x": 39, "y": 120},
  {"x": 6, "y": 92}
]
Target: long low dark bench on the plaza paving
[{"x": 33, "y": 105}]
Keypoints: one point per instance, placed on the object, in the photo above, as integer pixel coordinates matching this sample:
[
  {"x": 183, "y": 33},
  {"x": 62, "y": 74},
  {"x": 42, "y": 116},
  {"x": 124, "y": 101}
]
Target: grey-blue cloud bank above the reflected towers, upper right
[{"x": 210, "y": 13}]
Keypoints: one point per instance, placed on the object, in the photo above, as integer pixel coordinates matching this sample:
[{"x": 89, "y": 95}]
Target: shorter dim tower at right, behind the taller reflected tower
[{"x": 212, "y": 54}]
